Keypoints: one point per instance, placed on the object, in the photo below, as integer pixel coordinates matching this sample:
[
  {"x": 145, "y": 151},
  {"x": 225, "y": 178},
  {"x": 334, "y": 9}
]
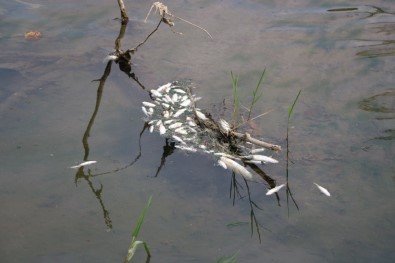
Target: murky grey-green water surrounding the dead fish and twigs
[{"x": 340, "y": 55}]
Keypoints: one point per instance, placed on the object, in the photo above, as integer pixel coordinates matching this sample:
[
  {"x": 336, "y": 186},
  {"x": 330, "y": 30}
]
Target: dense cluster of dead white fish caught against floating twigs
[{"x": 173, "y": 114}]
